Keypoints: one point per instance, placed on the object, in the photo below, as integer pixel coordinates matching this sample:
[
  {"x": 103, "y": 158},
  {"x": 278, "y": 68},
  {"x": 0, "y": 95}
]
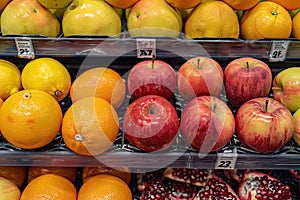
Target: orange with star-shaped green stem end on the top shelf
[{"x": 266, "y": 20}]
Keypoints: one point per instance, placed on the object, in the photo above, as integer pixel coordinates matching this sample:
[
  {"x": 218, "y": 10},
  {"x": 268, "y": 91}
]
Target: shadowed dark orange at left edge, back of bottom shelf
[{"x": 16, "y": 174}]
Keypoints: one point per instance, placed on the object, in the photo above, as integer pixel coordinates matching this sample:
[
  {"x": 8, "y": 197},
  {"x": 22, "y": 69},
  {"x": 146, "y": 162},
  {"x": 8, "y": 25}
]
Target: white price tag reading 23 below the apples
[{"x": 227, "y": 159}]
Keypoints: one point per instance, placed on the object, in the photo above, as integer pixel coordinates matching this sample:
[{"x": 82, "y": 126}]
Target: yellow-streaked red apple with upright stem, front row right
[{"x": 264, "y": 124}]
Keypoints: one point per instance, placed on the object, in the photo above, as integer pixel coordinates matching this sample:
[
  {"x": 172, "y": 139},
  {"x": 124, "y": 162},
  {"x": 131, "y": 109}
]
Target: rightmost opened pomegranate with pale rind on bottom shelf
[{"x": 257, "y": 185}]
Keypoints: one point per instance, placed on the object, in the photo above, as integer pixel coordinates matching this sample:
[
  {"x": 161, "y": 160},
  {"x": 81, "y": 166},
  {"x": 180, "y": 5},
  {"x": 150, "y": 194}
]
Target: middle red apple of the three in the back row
[{"x": 199, "y": 76}]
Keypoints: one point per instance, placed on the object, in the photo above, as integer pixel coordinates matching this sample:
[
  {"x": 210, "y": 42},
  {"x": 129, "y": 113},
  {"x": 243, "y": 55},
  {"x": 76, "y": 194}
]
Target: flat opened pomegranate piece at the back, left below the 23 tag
[{"x": 196, "y": 177}]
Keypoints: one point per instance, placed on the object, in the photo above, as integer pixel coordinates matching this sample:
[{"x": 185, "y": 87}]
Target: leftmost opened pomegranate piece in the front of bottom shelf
[{"x": 167, "y": 189}]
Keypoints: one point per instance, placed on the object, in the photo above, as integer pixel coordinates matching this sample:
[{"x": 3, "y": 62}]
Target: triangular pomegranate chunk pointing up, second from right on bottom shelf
[{"x": 216, "y": 189}]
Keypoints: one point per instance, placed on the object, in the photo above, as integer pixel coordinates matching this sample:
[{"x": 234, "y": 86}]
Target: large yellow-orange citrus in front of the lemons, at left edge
[{"x": 30, "y": 119}]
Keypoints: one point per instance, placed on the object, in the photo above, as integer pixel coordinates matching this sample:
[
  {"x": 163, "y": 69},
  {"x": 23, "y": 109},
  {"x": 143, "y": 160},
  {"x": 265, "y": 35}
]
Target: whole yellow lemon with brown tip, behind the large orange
[{"x": 47, "y": 74}]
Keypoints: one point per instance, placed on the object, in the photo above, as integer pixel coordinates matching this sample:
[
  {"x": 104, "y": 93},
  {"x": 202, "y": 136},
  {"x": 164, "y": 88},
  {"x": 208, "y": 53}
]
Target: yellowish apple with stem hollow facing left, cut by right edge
[{"x": 286, "y": 88}]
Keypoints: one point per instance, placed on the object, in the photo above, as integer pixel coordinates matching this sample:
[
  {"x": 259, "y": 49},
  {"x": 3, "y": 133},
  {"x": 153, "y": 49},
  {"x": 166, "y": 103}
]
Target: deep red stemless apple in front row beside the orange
[{"x": 151, "y": 123}]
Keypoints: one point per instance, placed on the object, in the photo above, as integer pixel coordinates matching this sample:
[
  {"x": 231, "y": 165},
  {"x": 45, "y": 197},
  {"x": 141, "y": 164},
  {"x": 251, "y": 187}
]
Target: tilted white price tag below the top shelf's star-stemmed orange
[{"x": 278, "y": 51}]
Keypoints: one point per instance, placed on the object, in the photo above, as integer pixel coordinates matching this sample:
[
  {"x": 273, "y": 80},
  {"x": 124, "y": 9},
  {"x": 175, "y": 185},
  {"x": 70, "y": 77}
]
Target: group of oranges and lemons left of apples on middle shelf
[{"x": 31, "y": 116}]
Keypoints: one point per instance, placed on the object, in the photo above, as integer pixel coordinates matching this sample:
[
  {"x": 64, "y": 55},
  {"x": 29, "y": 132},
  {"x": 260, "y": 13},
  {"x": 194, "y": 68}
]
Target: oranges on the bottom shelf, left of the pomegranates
[{"x": 63, "y": 183}]
